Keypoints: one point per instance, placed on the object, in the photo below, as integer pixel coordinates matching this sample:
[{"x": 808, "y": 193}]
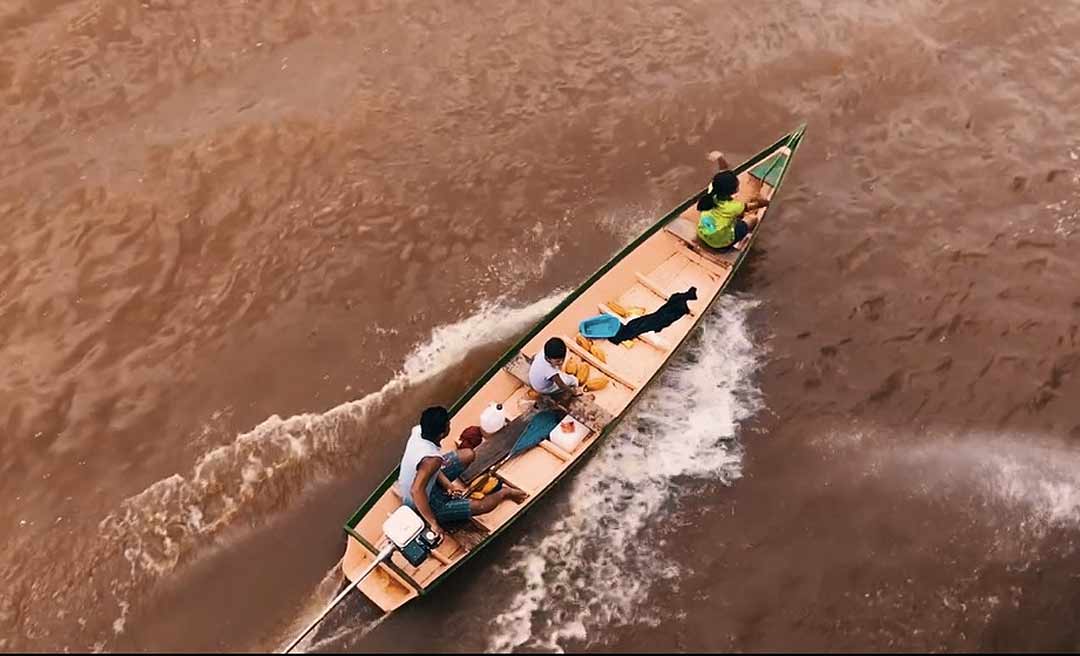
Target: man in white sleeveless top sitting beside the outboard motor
[{"x": 428, "y": 480}]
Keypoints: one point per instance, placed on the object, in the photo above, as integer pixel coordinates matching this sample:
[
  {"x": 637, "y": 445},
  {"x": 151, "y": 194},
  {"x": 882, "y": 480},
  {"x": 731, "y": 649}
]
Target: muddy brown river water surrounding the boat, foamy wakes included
[{"x": 245, "y": 243}]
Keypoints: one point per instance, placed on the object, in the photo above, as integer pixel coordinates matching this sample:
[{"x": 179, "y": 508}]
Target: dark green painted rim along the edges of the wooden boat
[{"x": 792, "y": 141}]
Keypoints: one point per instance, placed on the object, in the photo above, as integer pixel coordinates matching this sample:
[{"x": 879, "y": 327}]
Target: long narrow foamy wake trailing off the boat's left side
[{"x": 263, "y": 470}]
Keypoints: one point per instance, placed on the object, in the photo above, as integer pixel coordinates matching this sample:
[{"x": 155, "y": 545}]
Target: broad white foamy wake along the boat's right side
[{"x": 593, "y": 568}]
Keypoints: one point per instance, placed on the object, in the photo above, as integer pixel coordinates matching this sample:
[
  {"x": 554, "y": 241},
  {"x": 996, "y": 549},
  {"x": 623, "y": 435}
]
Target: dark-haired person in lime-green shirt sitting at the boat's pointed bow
[{"x": 721, "y": 224}]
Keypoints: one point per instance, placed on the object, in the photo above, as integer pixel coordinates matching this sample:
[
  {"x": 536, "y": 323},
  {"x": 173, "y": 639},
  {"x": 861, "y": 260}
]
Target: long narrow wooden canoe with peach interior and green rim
[{"x": 667, "y": 259}]
